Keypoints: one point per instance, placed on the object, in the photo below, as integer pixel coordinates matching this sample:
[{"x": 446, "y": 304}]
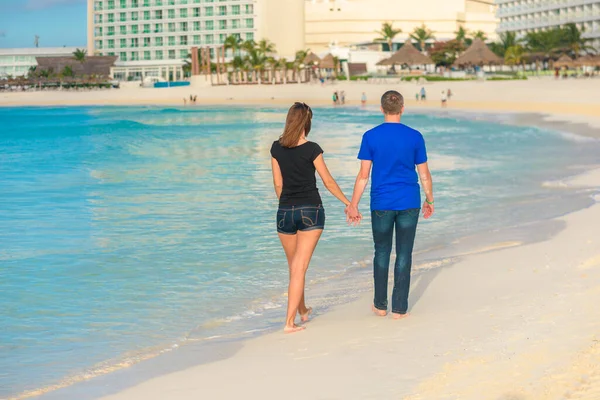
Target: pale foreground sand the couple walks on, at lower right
[{"x": 519, "y": 323}]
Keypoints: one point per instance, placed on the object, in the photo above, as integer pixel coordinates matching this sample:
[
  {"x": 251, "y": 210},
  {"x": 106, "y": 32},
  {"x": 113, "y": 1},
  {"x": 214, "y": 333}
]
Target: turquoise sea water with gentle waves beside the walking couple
[{"x": 127, "y": 232}]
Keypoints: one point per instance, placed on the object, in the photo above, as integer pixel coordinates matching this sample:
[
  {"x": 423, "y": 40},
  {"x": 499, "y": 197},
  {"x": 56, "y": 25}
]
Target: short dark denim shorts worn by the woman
[{"x": 291, "y": 219}]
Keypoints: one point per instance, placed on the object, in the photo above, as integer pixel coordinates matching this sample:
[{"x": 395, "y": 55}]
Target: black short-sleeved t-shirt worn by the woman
[{"x": 298, "y": 171}]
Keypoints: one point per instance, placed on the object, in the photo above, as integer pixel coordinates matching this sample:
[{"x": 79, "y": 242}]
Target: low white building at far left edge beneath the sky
[{"x": 17, "y": 62}]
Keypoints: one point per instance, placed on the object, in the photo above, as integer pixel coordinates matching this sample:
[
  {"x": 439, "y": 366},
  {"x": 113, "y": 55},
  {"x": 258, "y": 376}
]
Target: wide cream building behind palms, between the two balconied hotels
[{"x": 346, "y": 22}]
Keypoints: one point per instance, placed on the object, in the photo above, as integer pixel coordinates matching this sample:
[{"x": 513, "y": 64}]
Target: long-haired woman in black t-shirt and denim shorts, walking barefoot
[{"x": 301, "y": 217}]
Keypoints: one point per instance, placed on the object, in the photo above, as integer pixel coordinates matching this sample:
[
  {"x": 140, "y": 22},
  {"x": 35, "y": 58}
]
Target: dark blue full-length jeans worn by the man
[{"x": 383, "y": 223}]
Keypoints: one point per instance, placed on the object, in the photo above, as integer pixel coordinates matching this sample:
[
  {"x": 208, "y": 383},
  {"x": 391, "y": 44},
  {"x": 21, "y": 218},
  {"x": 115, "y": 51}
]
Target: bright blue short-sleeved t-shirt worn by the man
[{"x": 395, "y": 150}]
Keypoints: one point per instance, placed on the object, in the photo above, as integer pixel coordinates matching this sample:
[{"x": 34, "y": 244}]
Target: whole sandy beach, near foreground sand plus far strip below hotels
[{"x": 512, "y": 321}]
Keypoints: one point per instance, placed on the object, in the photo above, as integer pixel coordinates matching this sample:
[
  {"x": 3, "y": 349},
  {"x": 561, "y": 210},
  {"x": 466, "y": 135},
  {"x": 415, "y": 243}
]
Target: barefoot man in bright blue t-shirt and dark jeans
[{"x": 393, "y": 150}]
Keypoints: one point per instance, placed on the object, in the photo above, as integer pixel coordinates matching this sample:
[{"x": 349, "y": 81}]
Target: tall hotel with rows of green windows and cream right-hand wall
[{"x": 154, "y": 37}]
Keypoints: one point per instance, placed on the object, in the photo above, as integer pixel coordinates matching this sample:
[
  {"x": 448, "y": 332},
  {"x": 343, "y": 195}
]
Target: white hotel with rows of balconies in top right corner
[{"x": 522, "y": 16}]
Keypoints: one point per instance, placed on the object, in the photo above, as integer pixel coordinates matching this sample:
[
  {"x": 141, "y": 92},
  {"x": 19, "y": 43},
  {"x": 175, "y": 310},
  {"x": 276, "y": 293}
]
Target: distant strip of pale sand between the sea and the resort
[{"x": 571, "y": 97}]
